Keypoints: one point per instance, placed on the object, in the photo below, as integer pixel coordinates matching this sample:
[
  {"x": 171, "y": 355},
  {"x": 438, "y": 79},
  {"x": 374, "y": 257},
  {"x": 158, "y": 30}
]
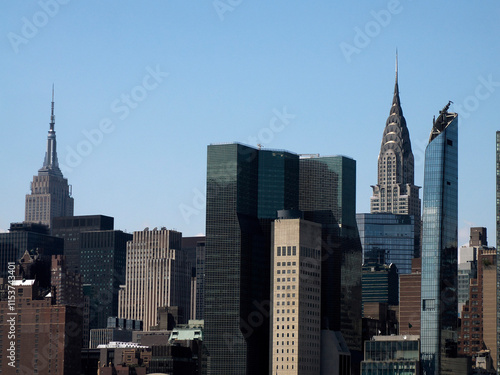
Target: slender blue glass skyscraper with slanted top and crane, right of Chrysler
[{"x": 439, "y": 245}]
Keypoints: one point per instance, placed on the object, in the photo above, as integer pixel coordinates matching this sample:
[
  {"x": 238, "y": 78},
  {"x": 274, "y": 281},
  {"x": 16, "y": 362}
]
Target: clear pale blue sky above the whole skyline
[{"x": 142, "y": 88}]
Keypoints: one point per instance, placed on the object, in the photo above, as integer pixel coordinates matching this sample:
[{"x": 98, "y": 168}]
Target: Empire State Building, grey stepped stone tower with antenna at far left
[{"x": 50, "y": 193}]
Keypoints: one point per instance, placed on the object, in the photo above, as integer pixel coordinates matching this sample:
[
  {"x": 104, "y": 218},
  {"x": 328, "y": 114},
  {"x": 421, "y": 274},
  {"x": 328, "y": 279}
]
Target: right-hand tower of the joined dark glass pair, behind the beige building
[{"x": 328, "y": 196}]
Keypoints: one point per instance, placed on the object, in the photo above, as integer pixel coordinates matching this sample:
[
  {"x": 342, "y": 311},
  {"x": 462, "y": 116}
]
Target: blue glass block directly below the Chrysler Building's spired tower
[{"x": 389, "y": 239}]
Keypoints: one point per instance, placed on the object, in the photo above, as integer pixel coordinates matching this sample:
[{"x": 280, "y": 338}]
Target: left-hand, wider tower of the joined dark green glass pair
[{"x": 242, "y": 182}]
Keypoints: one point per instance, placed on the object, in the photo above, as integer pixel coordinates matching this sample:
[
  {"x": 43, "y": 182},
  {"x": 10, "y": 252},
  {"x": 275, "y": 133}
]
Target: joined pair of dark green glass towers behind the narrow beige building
[{"x": 245, "y": 189}]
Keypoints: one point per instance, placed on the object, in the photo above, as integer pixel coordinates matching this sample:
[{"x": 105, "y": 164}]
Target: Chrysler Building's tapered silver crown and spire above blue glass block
[{"x": 395, "y": 191}]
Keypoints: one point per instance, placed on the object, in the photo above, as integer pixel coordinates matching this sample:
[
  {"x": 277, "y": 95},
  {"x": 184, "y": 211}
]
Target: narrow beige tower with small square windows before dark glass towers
[{"x": 295, "y": 297}]
